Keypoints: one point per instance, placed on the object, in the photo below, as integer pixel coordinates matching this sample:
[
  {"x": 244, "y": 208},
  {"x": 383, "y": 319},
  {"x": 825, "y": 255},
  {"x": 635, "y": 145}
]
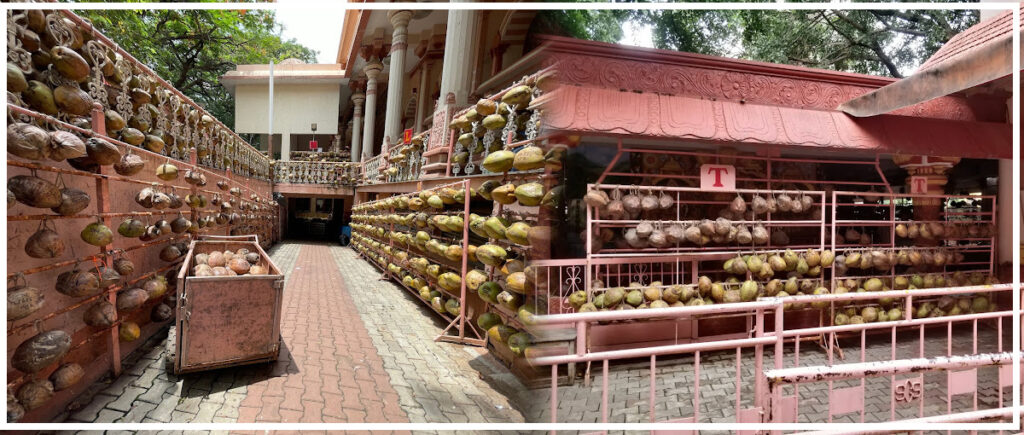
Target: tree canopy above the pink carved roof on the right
[{"x": 881, "y": 42}]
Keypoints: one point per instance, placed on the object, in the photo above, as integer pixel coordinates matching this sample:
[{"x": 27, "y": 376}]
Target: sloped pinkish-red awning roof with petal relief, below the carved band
[{"x": 649, "y": 115}]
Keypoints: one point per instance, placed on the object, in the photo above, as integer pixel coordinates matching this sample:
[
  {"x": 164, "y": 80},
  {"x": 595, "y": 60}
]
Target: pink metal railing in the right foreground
[{"x": 772, "y": 405}]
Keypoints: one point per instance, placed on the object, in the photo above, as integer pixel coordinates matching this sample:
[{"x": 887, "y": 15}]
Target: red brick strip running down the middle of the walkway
[{"x": 319, "y": 318}]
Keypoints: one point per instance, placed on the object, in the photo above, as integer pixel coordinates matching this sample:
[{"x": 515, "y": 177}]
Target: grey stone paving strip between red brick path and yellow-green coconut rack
[{"x": 403, "y": 331}]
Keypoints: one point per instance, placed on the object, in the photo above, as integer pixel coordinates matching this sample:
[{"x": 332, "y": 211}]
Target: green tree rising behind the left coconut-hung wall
[{"x": 192, "y": 50}]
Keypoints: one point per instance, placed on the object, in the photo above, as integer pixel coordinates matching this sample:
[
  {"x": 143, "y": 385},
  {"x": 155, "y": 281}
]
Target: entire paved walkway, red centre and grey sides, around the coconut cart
[{"x": 356, "y": 350}]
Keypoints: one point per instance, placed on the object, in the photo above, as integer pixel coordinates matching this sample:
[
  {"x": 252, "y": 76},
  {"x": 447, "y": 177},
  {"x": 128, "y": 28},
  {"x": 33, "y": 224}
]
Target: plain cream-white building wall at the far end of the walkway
[{"x": 295, "y": 108}]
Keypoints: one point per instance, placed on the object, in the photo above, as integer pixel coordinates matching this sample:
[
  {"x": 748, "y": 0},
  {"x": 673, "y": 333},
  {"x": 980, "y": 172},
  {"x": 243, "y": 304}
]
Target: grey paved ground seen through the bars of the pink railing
[{"x": 629, "y": 383}]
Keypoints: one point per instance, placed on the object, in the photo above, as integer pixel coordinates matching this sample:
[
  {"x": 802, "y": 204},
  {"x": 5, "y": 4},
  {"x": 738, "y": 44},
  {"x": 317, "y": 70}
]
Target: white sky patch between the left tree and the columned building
[{"x": 319, "y": 30}]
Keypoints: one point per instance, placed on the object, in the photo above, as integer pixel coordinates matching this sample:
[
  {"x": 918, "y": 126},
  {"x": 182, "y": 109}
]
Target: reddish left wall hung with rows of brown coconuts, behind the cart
[{"x": 111, "y": 173}]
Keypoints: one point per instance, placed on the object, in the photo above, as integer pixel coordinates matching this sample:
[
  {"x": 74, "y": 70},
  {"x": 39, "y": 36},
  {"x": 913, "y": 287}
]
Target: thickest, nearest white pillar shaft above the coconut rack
[{"x": 460, "y": 41}]
